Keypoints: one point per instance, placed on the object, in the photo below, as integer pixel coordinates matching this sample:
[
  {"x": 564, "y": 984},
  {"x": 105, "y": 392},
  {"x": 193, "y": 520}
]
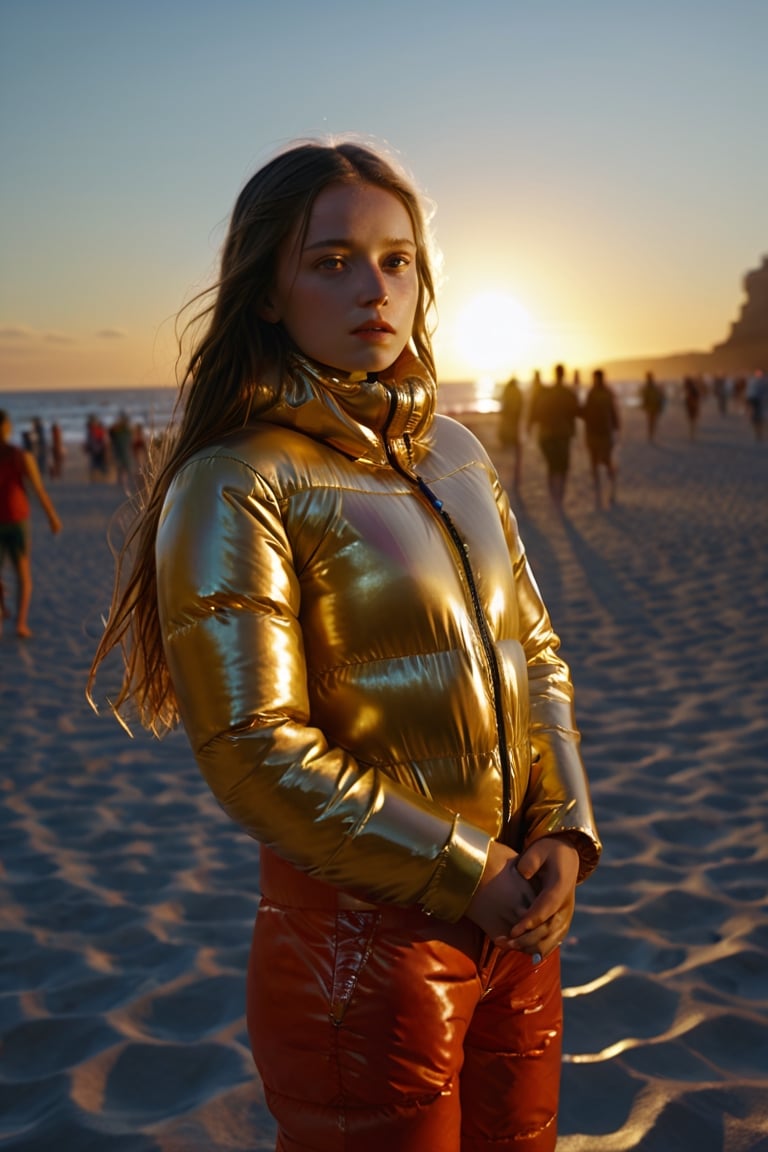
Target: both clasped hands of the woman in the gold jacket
[{"x": 526, "y": 903}]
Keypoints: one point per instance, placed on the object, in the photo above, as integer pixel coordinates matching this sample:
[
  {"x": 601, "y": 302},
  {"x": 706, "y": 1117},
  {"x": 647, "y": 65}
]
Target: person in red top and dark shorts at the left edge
[{"x": 18, "y": 468}]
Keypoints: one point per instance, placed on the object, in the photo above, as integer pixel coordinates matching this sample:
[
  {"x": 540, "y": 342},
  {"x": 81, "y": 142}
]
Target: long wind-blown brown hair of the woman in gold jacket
[{"x": 233, "y": 354}]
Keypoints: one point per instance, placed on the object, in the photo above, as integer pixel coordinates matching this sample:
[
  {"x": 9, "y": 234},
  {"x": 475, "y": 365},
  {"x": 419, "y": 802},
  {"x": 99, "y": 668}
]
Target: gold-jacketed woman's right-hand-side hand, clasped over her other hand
[{"x": 551, "y": 866}]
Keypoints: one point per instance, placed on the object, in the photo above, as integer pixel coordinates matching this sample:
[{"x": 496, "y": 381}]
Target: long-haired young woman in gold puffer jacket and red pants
[{"x": 330, "y": 592}]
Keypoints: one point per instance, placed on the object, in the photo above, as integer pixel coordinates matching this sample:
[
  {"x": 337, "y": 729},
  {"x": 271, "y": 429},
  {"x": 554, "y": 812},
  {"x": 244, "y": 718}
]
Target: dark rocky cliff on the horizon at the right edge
[{"x": 744, "y": 350}]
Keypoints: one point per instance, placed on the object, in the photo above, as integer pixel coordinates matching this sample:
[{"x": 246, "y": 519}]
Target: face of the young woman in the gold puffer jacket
[{"x": 347, "y": 295}]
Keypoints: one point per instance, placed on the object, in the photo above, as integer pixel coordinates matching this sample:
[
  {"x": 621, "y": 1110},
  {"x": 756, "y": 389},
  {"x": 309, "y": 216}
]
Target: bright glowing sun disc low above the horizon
[{"x": 495, "y": 335}]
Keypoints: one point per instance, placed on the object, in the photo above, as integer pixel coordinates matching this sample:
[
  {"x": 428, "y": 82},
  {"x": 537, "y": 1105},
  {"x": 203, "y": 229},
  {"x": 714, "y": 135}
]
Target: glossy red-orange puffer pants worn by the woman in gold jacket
[{"x": 378, "y": 1029}]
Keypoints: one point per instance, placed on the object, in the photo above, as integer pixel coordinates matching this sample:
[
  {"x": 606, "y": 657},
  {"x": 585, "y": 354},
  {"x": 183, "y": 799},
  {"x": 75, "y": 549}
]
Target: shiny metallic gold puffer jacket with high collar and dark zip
[{"x": 364, "y": 668}]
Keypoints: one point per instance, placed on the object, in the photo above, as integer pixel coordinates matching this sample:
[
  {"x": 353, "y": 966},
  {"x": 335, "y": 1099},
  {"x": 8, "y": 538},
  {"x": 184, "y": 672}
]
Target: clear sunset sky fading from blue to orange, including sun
[{"x": 599, "y": 168}]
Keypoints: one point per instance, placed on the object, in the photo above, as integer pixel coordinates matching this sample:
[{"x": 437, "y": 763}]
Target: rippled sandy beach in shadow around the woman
[{"x": 127, "y": 898}]
